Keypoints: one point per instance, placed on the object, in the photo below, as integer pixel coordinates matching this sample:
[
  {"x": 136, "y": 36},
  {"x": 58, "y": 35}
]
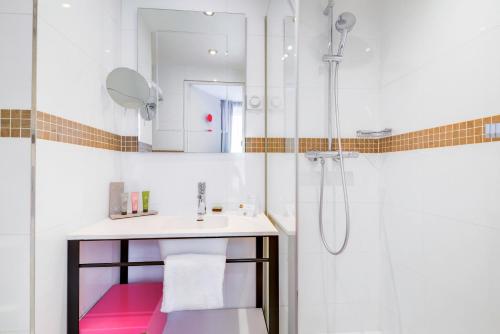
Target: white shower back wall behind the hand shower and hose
[{"x": 339, "y": 294}]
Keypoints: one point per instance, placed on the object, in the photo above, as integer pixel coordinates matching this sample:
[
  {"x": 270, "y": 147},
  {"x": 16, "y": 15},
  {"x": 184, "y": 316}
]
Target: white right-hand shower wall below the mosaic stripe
[{"x": 440, "y": 237}]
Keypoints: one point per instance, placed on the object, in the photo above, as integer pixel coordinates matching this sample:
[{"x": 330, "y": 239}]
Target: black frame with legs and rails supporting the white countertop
[{"x": 74, "y": 265}]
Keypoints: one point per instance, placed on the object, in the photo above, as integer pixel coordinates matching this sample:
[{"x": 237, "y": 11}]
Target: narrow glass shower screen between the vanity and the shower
[{"x": 280, "y": 132}]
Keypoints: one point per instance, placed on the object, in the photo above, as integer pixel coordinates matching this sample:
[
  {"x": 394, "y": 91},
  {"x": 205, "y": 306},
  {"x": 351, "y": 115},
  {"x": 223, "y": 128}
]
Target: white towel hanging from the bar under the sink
[{"x": 193, "y": 282}]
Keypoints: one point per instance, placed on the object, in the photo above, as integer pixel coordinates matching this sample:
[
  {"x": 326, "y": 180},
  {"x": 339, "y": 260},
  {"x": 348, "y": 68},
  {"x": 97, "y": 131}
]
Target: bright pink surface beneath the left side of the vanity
[{"x": 127, "y": 309}]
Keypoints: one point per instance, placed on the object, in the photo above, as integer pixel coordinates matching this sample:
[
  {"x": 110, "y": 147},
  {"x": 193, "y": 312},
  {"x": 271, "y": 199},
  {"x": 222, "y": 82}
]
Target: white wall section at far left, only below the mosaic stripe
[{"x": 15, "y": 186}]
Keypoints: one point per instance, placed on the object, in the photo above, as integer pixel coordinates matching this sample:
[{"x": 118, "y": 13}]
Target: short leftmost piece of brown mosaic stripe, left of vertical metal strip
[{"x": 15, "y": 123}]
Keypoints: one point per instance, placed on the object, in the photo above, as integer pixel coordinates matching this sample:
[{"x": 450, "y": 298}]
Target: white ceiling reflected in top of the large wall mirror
[{"x": 184, "y": 37}]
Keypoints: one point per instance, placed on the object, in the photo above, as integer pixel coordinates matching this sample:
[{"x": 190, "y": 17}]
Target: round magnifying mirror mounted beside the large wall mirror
[{"x": 128, "y": 88}]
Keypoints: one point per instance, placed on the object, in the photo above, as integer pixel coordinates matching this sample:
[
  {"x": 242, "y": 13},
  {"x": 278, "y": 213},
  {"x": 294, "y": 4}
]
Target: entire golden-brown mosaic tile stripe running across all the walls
[{"x": 16, "y": 123}]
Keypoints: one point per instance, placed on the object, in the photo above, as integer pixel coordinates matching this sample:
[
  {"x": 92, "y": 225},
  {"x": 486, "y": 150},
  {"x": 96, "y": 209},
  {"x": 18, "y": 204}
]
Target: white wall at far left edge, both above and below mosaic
[{"x": 15, "y": 168}]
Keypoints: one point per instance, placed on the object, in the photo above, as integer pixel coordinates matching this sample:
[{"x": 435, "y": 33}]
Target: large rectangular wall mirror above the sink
[{"x": 198, "y": 60}]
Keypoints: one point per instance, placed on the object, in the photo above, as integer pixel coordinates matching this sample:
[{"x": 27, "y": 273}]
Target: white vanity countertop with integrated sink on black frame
[{"x": 159, "y": 227}]
